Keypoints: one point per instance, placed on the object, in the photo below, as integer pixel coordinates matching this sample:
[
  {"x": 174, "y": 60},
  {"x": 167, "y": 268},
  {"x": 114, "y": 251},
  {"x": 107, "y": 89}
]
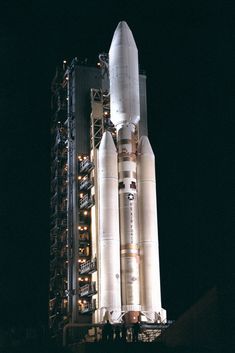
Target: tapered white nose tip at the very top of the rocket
[{"x": 123, "y": 35}]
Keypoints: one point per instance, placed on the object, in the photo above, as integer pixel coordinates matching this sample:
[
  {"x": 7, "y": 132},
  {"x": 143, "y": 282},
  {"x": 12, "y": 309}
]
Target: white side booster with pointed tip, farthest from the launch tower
[{"x": 148, "y": 231}]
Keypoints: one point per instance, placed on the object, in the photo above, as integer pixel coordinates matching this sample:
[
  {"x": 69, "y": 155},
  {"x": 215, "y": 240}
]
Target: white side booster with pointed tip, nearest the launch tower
[{"x": 109, "y": 241}]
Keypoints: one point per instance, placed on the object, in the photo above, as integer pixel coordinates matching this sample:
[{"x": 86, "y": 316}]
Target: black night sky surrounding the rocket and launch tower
[{"x": 185, "y": 49}]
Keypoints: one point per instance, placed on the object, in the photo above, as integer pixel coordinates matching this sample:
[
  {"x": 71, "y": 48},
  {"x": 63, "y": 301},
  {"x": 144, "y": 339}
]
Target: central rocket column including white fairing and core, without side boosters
[{"x": 125, "y": 114}]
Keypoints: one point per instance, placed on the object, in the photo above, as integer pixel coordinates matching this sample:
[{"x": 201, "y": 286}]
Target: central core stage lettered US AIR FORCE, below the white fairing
[{"x": 128, "y": 208}]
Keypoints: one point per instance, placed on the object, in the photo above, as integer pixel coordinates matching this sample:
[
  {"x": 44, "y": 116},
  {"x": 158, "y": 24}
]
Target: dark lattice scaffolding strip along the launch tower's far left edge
[{"x": 58, "y": 228}]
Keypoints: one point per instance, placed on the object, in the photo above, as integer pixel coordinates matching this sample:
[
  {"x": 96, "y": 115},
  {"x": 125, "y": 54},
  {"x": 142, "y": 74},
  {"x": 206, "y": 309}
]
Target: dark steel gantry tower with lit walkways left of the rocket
[{"x": 73, "y": 260}]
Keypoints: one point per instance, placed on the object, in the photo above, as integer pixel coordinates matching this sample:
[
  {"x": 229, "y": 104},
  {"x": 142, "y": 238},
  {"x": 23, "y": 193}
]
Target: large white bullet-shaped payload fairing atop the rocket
[{"x": 124, "y": 77}]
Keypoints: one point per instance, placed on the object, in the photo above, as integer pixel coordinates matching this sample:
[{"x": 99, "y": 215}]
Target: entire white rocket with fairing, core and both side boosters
[{"x": 128, "y": 236}]
